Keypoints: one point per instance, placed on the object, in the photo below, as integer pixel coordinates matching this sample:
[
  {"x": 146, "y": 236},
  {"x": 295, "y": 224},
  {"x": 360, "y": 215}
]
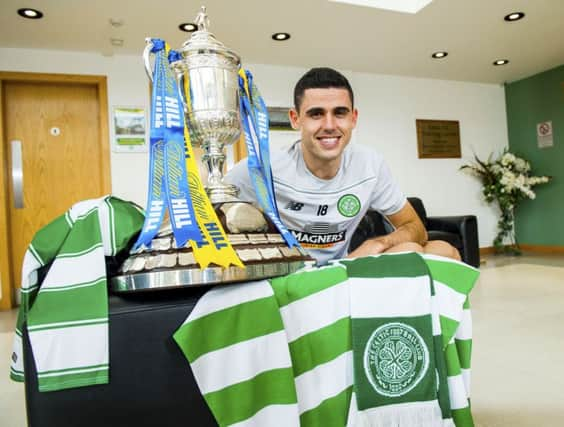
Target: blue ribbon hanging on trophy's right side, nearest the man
[{"x": 255, "y": 124}]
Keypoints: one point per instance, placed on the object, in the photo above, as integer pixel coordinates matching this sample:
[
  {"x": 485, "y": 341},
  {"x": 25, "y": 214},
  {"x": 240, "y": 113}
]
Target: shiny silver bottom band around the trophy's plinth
[{"x": 195, "y": 277}]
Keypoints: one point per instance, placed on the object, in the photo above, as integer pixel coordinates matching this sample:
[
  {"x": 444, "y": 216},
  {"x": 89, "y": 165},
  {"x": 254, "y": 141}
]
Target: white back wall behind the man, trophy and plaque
[{"x": 388, "y": 107}]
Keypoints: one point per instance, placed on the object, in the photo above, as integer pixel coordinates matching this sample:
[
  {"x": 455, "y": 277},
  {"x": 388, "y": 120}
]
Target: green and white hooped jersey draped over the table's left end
[{"x": 67, "y": 314}]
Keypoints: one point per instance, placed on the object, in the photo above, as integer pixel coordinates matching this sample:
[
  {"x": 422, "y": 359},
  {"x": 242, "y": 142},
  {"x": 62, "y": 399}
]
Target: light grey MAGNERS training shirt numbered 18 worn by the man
[{"x": 323, "y": 214}]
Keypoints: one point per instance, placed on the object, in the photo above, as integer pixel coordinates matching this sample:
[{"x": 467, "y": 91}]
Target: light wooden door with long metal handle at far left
[{"x": 58, "y": 127}]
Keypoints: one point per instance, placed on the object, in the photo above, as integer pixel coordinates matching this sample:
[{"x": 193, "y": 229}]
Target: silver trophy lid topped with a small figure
[{"x": 202, "y": 41}]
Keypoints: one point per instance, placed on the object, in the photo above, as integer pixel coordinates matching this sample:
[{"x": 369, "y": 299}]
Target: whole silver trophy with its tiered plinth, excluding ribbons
[{"x": 211, "y": 105}]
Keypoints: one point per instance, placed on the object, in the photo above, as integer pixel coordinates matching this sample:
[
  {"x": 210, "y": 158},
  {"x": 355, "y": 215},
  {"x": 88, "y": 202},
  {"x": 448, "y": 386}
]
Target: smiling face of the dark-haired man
[{"x": 326, "y": 119}]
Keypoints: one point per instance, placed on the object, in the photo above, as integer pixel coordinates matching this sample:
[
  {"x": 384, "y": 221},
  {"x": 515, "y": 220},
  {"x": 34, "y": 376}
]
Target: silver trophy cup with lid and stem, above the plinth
[{"x": 208, "y": 82}]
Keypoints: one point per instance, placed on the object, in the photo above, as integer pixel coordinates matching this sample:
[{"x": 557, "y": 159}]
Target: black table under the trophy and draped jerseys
[{"x": 151, "y": 383}]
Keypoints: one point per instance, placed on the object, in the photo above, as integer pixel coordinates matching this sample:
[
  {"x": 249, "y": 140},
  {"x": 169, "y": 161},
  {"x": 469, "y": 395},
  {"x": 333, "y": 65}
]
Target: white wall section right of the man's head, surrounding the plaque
[{"x": 388, "y": 107}]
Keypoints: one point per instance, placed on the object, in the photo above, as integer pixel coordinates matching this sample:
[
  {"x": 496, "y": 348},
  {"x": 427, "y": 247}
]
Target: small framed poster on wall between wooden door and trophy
[{"x": 129, "y": 129}]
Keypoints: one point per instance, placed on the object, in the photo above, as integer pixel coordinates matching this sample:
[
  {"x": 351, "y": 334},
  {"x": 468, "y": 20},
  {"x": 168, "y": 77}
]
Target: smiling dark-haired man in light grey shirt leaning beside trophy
[{"x": 324, "y": 186}]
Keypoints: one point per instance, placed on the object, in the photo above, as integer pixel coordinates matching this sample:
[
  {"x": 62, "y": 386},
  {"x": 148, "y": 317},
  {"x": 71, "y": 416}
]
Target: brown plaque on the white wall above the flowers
[{"x": 438, "y": 139}]
